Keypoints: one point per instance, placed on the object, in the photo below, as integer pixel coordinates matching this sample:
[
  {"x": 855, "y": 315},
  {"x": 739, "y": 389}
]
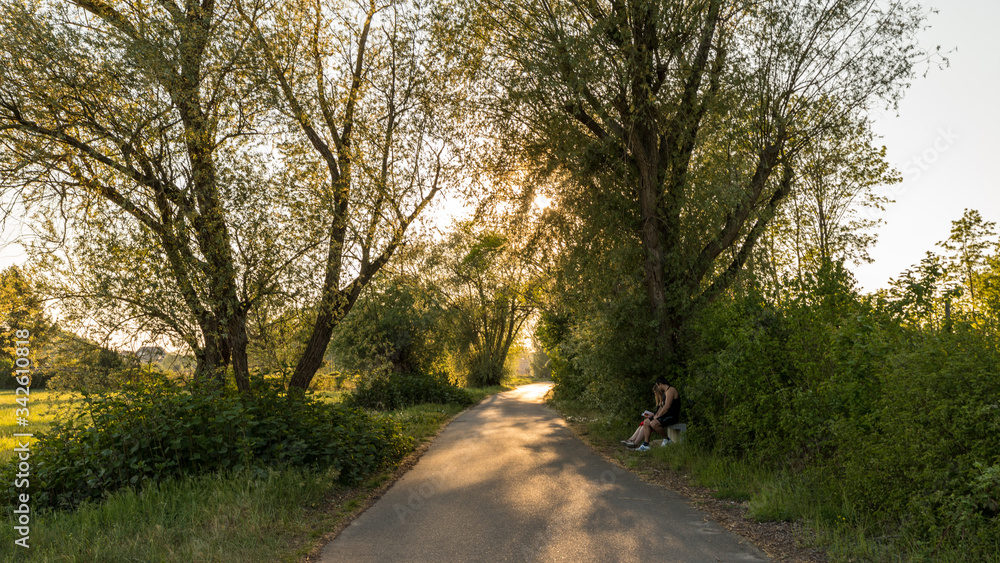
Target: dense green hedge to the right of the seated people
[{"x": 900, "y": 425}]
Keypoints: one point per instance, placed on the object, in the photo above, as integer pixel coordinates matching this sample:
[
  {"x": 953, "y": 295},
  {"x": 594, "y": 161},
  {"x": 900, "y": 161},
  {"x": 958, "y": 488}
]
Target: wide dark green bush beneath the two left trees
[{"x": 151, "y": 431}]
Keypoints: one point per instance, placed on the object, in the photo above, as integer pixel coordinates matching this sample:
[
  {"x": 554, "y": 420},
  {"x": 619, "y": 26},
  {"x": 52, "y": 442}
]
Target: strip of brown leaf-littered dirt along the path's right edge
[{"x": 782, "y": 541}]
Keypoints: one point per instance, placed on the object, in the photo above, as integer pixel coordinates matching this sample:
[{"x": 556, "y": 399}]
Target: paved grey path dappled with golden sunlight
[{"x": 508, "y": 481}]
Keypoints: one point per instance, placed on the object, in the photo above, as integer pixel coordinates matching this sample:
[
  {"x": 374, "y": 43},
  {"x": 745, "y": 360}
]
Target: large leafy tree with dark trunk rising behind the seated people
[{"x": 695, "y": 112}]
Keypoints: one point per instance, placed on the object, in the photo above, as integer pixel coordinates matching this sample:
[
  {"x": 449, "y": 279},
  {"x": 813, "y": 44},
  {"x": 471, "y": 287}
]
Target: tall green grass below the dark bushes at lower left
[{"x": 246, "y": 517}]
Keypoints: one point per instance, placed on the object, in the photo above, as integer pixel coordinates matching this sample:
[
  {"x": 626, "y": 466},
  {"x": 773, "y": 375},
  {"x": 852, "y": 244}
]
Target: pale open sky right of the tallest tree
[{"x": 943, "y": 140}]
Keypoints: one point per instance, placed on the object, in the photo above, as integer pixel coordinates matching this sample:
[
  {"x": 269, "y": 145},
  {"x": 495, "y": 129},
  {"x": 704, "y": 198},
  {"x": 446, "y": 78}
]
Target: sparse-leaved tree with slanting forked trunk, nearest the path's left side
[{"x": 371, "y": 107}]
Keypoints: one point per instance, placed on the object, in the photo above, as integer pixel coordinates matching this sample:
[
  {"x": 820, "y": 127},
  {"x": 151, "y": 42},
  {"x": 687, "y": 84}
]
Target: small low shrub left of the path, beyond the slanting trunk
[{"x": 396, "y": 390}]
